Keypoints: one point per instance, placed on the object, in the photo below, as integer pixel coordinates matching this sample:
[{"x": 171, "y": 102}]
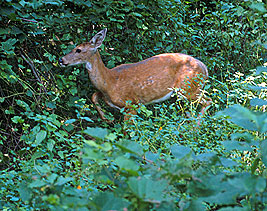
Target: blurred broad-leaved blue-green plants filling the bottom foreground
[{"x": 125, "y": 174}]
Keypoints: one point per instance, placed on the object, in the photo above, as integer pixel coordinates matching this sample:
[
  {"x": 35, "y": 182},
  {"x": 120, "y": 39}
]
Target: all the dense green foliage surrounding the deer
[{"x": 56, "y": 153}]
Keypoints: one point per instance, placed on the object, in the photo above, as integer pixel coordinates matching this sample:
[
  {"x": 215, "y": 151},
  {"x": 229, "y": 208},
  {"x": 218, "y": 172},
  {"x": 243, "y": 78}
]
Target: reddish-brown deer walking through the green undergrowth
[{"x": 149, "y": 81}]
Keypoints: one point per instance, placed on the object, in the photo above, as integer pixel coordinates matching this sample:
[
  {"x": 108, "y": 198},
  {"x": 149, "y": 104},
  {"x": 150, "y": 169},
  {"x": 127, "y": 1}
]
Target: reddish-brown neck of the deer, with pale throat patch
[{"x": 101, "y": 77}]
